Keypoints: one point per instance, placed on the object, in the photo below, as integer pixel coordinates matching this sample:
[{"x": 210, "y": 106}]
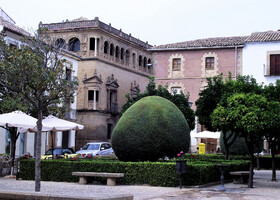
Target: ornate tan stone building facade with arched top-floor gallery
[{"x": 97, "y": 68}]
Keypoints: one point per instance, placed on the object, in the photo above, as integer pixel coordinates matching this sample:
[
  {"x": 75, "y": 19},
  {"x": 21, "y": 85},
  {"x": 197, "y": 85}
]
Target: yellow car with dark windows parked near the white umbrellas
[{"x": 59, "y": 153}]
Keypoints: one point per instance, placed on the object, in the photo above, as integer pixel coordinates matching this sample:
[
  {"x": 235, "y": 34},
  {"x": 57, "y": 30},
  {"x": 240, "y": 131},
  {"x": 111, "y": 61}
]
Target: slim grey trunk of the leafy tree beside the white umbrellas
[{"x": 38, "y": 152}]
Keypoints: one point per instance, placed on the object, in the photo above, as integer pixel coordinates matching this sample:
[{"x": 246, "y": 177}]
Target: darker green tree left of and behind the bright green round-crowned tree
[{"x": 218, "y": 91}]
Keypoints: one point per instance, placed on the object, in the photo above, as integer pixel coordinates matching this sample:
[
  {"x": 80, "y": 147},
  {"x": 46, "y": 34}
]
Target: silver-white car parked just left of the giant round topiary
[{"x": 95, "y": 149}]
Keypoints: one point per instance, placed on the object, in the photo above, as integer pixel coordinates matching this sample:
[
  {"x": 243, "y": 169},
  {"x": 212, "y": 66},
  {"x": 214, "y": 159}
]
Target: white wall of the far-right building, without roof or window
[{"x": 255, "y": 60}]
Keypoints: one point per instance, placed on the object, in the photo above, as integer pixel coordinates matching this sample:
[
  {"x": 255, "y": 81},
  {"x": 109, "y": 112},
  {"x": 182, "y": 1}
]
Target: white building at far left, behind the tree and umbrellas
[{"x": 12, "y": 35}]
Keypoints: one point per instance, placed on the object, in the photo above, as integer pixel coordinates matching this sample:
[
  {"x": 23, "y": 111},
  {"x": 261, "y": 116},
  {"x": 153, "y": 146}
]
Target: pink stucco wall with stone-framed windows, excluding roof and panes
[{"x": 192, "y": 76}]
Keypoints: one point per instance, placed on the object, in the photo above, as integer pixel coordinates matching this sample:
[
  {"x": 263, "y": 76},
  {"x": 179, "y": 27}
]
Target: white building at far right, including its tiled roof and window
[{"x": 261, "y": 56}]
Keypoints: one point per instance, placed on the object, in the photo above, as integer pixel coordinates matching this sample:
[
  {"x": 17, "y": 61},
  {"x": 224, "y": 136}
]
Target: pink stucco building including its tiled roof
[{"x": 184, "y": 66}]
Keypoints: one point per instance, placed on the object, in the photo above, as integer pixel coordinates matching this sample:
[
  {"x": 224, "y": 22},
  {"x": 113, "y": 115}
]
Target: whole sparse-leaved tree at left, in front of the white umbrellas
[{"x": 35, "y": 73}]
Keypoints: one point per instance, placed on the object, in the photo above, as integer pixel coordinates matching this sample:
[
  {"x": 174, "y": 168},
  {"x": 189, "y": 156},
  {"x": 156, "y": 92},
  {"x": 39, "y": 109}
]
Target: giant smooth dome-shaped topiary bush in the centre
[{"x": 150, "y": 129}]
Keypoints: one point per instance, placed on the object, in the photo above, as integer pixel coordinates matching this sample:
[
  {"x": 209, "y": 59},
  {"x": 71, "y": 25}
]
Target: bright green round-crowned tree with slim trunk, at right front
[{"x": 246, "y": 114}]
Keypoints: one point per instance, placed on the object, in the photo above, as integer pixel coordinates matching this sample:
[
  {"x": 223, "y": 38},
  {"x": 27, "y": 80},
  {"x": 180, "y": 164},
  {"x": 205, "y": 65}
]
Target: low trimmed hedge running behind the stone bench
[{"x": 152, "y": 173}]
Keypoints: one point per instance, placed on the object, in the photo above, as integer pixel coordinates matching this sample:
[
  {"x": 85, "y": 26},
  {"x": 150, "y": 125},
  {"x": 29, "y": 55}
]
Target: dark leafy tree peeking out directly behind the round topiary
[{"x": 180, "y": 100}]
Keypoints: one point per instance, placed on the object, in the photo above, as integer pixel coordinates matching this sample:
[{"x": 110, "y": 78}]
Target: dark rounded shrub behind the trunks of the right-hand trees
[{"x": 239, "y": 146}]
